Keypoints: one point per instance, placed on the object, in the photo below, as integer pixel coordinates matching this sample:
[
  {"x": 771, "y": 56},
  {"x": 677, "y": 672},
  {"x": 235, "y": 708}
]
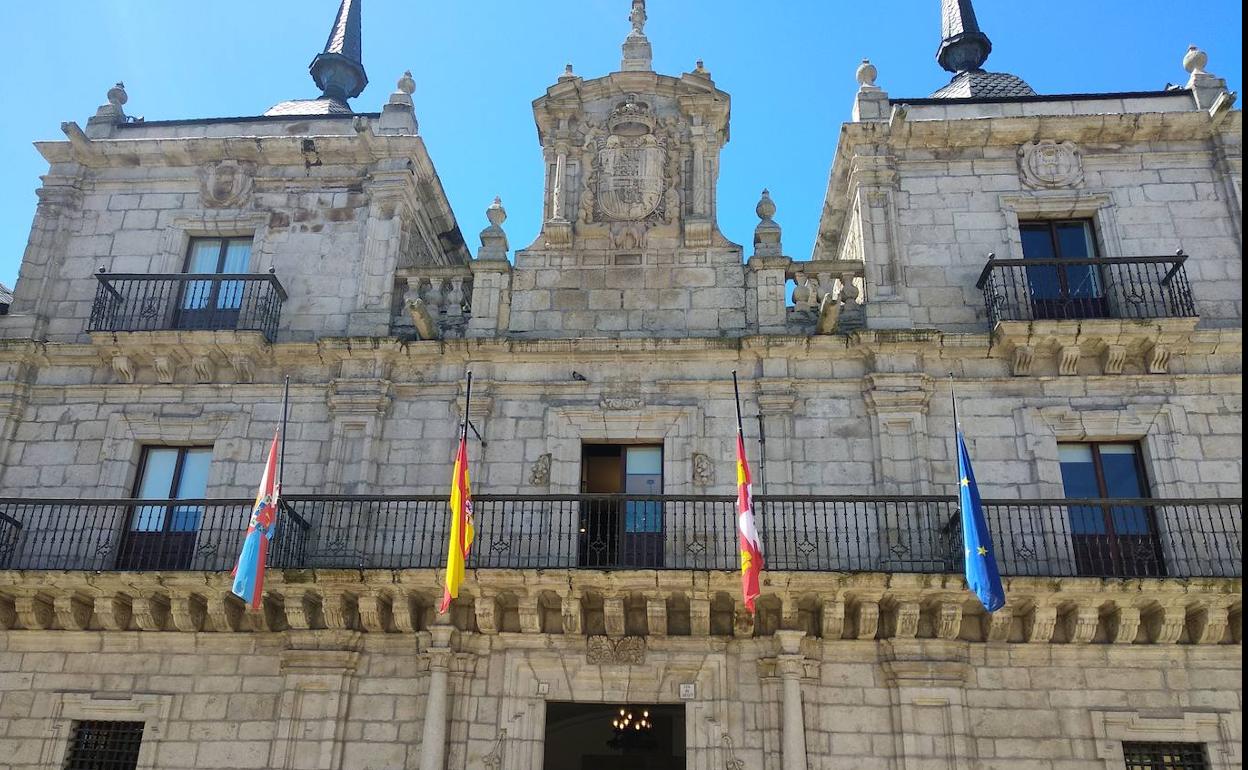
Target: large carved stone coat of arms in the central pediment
[{"x": 631, "y": 178}]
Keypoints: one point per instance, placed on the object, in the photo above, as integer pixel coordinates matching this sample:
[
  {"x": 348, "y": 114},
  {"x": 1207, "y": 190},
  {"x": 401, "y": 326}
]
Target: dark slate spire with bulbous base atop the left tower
[{"x": 339, "y": 71}]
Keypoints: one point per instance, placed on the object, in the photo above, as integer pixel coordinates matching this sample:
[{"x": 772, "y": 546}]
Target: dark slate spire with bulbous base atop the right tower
[{"x": 964, "y": 49}]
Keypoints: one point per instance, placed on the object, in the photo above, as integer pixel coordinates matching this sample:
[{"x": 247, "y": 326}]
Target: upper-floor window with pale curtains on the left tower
[{"x": 214, "y": 304}]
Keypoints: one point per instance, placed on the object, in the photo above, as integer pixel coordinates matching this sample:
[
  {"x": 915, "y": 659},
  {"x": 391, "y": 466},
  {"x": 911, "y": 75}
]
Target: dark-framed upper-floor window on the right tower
[{"x": 1070, "y": 290}]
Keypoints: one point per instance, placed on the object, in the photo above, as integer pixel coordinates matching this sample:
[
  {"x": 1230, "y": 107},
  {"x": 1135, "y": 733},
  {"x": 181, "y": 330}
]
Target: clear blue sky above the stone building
[{"x": 789, "y": 68}]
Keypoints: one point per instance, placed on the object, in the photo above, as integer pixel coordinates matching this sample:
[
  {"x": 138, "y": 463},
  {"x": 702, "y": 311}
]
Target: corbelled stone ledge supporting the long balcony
[{"x": 643, "y": 603}]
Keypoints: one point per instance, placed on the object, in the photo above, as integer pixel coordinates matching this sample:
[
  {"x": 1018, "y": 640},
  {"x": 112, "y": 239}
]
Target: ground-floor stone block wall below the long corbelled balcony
[{"x": 338, "y": 699}]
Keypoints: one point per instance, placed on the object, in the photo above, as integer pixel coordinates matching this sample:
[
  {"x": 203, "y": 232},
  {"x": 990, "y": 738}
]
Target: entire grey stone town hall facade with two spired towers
[{"x": 1019, "y": 244}]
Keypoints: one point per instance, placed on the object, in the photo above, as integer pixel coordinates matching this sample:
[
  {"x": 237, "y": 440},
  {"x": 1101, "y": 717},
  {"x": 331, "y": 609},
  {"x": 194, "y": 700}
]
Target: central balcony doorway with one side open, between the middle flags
[{"x": 618, "y": 531}]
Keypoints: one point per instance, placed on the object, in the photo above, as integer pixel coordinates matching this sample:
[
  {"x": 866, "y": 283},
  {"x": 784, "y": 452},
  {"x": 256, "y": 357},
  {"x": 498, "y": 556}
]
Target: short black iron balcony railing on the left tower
[{"x": 138, "y": 303}]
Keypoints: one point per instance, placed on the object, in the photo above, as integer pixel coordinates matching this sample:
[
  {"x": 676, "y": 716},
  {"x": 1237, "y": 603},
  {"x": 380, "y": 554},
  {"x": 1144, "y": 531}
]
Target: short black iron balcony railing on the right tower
[{"x": 1113, "y": 288}]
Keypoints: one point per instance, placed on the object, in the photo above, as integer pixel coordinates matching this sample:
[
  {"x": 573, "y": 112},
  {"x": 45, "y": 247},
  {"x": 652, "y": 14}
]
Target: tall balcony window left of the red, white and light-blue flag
[{"x": 163, "y": 537}]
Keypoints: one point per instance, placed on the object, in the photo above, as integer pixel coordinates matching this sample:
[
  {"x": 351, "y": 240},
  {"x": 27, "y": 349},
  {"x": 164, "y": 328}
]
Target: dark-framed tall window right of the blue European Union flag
[{"x": 1110, "y": 540}]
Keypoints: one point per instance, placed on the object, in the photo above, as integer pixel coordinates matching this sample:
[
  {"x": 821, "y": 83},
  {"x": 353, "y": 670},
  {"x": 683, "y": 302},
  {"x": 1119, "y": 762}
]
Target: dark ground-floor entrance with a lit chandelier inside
[{"x": 590, "y": 737}]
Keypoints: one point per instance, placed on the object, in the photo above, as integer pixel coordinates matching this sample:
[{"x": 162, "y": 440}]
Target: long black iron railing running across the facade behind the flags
[{"x": 905, "y": 535}]
